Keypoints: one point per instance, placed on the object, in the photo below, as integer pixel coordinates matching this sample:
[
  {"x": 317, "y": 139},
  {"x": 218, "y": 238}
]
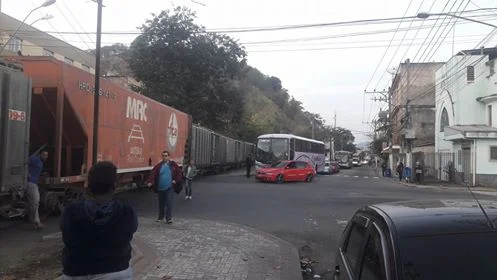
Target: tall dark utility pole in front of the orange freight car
[{"x": 96, "y": 100}]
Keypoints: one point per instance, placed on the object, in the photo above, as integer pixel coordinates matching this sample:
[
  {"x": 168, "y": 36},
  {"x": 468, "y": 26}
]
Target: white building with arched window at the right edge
[{"x": 466, "y": 117}]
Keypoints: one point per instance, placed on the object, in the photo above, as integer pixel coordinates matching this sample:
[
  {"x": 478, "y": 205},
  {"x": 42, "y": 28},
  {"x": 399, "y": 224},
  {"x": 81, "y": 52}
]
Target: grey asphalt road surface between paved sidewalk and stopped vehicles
[{"x": 309, "y": 215}]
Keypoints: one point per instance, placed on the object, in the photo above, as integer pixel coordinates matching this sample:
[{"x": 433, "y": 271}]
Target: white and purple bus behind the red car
[{"x": 274, "y": 147}]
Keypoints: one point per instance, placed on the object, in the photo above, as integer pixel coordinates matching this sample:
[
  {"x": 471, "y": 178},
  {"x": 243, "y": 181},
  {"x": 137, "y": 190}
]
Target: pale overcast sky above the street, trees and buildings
[{"x": 327, "y": 68}]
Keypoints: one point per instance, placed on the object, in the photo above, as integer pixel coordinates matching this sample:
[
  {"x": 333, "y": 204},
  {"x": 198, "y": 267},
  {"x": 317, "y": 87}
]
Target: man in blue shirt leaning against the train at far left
[{"x": 35, "y": 168}]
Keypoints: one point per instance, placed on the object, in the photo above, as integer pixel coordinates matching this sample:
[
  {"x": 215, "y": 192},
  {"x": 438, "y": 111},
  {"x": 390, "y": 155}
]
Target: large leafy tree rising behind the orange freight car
[{"x": 182, "y": 65}]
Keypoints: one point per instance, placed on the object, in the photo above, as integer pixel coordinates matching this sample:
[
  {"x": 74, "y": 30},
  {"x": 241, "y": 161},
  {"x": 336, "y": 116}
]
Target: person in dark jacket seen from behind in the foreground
[{"x": 97, "y": 231}]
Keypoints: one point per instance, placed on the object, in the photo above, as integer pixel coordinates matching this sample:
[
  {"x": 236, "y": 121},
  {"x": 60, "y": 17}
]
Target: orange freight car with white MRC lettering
[{"x": 133, "y": 129}]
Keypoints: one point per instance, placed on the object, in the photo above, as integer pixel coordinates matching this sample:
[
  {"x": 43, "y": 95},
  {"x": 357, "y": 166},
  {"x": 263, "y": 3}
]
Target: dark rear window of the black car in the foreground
[{"x": 455, "y": 256}]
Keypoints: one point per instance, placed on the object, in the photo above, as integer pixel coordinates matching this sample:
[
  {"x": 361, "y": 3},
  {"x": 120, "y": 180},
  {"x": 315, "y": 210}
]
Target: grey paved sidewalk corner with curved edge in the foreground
[{"x": 202, "y": 249}]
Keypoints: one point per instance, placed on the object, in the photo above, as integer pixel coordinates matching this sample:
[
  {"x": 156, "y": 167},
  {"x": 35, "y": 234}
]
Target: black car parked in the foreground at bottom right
[{"x": 440, "y": 239}]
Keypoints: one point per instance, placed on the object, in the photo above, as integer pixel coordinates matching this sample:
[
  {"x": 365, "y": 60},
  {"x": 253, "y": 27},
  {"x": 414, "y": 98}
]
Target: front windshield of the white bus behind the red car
[{"x": 271, "y": 149}]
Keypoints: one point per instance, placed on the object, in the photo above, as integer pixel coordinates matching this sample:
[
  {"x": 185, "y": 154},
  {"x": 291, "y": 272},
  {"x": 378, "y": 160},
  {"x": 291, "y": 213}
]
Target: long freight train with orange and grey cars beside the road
[{"x": 48, "y": 104}]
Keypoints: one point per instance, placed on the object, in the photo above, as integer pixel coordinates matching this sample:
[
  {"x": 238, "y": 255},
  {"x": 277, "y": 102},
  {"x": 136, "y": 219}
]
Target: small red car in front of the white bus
[{"x": 286, "y": 171}]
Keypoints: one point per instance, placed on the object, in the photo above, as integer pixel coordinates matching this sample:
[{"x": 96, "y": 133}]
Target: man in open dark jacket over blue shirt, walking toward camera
[{"x": 164, "y": 175}]
